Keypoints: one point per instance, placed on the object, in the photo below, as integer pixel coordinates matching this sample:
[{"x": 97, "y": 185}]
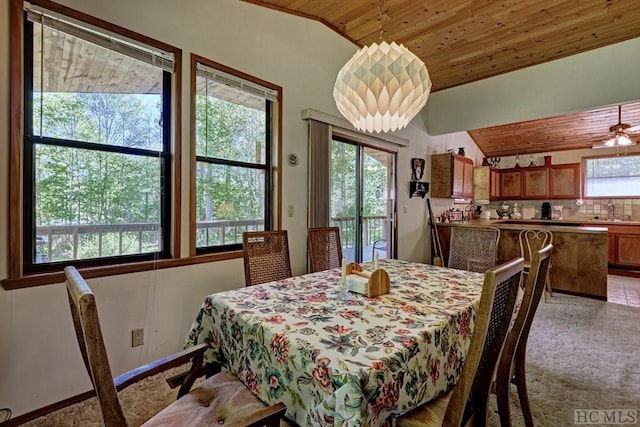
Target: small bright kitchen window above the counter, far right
[{"x": 612, "y": 176}]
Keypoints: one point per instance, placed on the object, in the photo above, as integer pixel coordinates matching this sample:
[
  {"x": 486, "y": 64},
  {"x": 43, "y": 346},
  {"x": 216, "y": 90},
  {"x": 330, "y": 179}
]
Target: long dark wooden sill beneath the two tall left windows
[{"x": 112, "y": 270}]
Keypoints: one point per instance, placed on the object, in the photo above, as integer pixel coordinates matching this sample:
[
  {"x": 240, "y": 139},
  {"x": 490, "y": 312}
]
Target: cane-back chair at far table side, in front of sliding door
[{"x": 325, "y": 248}]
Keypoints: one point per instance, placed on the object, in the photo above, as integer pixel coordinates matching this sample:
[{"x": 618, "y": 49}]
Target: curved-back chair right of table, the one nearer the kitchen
[{"x": 511, "y": 367}]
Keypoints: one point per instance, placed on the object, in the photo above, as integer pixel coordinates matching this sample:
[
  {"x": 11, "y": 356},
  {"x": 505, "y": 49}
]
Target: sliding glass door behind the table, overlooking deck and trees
[{"x": 363, "y": 199}]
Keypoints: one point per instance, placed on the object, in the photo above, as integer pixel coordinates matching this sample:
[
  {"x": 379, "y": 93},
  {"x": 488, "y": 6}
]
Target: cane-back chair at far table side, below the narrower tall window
[{"x": 266, "y": 256}]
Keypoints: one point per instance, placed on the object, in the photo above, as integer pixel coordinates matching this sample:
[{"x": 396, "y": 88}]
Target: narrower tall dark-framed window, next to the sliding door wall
[{"x": 233, "y": 150}]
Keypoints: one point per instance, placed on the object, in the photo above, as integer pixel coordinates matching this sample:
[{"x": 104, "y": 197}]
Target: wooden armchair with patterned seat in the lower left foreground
[{"x": 219, "y": 399}]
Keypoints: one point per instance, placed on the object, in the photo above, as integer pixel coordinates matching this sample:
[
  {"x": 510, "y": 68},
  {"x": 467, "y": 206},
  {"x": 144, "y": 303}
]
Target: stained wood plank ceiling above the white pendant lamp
[{"x": 461, "y": 41}]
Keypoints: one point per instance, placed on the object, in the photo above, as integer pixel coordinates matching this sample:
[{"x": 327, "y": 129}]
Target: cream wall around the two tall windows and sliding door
[{"x": 39, "y": 360}]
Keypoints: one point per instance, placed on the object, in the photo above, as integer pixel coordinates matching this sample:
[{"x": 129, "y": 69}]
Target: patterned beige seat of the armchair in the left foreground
[{"x": 219, "y": 400}]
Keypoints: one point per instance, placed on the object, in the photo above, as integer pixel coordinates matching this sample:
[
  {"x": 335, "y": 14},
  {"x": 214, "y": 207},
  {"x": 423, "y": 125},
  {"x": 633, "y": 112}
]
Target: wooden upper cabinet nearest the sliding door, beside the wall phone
[{"x": 451, "y": 176}]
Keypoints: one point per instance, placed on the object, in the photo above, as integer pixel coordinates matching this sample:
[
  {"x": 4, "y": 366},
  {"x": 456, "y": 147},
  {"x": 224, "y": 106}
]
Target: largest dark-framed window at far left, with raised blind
[{"x": 97, "y": 164}]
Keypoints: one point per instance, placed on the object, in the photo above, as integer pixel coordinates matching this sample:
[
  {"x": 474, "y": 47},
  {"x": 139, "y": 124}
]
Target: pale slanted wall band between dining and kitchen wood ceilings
[{"x": 592, "y": 79}]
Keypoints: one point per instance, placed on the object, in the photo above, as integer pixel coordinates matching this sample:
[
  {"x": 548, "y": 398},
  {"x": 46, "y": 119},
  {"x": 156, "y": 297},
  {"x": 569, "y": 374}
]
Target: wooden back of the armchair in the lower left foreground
[{"x": 85, "y": 320}]
